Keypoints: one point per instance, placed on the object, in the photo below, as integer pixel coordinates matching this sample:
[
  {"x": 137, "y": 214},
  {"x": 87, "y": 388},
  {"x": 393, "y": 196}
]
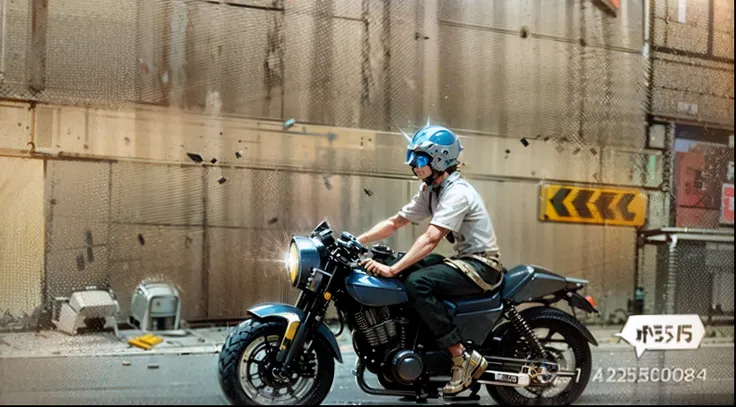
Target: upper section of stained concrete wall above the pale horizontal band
[{"x": 578, "y": 74}]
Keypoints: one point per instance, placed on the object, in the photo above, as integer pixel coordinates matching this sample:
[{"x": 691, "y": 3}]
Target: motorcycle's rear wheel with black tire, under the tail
[{"x": 564, "y": 345}]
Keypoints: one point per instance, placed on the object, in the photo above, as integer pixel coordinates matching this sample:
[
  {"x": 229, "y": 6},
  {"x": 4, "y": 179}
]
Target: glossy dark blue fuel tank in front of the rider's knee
[{"x": 375, "y": 291}]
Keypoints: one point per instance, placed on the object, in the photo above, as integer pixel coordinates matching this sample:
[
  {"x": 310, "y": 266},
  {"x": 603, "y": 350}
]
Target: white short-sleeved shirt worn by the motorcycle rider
[{"x": 459, "y": 208}]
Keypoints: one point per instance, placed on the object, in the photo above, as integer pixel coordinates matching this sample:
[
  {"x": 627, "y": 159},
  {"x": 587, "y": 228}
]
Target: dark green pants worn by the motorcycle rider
[{"x": 430, "y": 281}]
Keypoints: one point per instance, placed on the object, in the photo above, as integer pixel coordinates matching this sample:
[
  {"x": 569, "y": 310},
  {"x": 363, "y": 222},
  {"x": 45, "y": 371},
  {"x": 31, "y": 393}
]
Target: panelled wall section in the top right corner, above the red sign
[{"x": 692, "y": 60}]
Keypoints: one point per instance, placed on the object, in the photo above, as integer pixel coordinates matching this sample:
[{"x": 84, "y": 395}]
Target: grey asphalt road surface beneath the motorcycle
[{"x": 192, "y": 379}]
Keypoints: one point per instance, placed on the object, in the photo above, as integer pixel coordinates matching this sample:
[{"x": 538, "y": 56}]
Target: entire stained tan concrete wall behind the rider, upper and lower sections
[{"x": 145, "y": 82}]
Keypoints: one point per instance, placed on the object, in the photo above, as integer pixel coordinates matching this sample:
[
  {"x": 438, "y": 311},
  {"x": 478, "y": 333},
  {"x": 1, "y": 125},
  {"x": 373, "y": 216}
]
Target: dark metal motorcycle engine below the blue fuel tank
[{"x": 387, "y": 353}]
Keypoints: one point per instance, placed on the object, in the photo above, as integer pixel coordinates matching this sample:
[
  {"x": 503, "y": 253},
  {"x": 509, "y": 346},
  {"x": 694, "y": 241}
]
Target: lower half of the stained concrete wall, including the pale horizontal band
[{"x": 116, "y": 174}]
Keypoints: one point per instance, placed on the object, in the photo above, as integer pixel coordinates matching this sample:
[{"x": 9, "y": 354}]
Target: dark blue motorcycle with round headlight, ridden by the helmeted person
[{"x": 286, "y": 354}]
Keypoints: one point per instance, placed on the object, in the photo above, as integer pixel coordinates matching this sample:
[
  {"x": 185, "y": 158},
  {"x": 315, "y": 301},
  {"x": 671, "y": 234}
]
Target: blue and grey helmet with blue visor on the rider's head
[{"x": 439, "y": 145}]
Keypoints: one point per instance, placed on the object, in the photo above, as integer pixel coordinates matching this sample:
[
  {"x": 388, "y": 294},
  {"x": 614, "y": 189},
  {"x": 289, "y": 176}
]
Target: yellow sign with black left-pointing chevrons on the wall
[{"x": 563, "y": 203}]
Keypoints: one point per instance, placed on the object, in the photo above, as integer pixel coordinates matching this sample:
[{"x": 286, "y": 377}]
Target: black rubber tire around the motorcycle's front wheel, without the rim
[{"x": 244, "y": 335}]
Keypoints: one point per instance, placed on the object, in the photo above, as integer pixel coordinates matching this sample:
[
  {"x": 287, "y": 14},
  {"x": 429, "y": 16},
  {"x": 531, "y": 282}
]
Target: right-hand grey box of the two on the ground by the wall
[{"x": 155, "y": 307}]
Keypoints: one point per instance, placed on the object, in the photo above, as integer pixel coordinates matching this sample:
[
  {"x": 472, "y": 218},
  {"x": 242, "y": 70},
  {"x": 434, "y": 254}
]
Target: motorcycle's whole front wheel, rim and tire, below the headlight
[{"x": 247, "y": 368}]
